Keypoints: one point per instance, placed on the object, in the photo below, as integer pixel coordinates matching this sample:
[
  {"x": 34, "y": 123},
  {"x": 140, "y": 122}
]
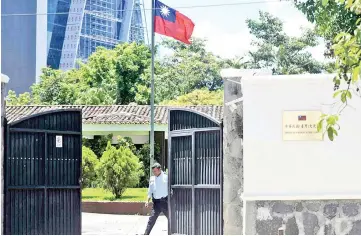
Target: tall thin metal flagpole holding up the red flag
[{"x": 152, "y": 94}]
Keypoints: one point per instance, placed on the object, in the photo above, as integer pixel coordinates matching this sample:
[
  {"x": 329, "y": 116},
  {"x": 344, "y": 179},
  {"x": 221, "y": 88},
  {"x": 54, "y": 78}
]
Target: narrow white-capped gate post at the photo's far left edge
[{"x": 4, "y": 80}]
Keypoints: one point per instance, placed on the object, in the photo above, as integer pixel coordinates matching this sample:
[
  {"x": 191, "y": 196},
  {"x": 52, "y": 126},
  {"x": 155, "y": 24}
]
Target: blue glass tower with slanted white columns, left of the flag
[{"x": 79, "y": 26}]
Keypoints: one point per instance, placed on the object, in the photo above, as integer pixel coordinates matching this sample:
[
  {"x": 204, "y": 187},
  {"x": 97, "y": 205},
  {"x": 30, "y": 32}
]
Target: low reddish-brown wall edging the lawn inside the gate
[{"x": 120, "y": 208}]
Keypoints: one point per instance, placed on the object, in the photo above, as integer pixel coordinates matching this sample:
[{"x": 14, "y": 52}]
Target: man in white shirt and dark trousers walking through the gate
[{"x": 158, "y": 192}]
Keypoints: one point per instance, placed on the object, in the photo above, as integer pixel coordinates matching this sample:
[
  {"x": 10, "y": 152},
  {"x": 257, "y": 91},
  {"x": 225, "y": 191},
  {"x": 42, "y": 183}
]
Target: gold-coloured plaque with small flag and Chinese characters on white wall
[{"x": 301, "y": 126}]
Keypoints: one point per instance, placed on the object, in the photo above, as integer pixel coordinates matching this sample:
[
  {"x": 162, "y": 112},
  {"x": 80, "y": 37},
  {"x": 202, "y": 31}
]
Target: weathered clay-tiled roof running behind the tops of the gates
[{"x": 115, "y": 114}]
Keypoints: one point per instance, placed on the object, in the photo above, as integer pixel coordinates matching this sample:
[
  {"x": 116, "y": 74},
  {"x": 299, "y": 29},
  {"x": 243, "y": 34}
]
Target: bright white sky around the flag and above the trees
[{"x": 225, "y": 26}]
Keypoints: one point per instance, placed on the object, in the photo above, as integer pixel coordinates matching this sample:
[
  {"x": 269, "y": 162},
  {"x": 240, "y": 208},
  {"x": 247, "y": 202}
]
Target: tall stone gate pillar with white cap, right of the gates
[{"x": 233, "y": 206}]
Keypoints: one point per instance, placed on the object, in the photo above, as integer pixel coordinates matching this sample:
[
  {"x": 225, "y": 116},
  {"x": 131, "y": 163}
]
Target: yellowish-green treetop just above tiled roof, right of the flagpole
[{"x": 198, "y": 97}]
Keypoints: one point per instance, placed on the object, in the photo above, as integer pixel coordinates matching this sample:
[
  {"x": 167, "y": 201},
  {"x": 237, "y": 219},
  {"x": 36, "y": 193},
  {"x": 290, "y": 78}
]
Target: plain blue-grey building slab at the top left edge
[{"x": 23, "y": 42}]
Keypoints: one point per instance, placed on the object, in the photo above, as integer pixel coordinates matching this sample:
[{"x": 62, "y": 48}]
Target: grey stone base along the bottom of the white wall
[{"x": 305, "y": 217}]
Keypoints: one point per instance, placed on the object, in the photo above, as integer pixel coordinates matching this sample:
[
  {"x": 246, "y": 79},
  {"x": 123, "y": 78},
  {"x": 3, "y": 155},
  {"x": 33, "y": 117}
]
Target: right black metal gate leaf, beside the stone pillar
[{"x": 195, "y": 173}]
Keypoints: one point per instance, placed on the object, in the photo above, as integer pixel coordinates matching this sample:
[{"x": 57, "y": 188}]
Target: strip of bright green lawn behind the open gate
[{"x": 130, "y": 195}]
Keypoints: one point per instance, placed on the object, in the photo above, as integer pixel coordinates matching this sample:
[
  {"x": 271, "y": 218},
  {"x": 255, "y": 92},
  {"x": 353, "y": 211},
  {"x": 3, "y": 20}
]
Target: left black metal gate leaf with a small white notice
[{"x": 42, "y": 174}]
